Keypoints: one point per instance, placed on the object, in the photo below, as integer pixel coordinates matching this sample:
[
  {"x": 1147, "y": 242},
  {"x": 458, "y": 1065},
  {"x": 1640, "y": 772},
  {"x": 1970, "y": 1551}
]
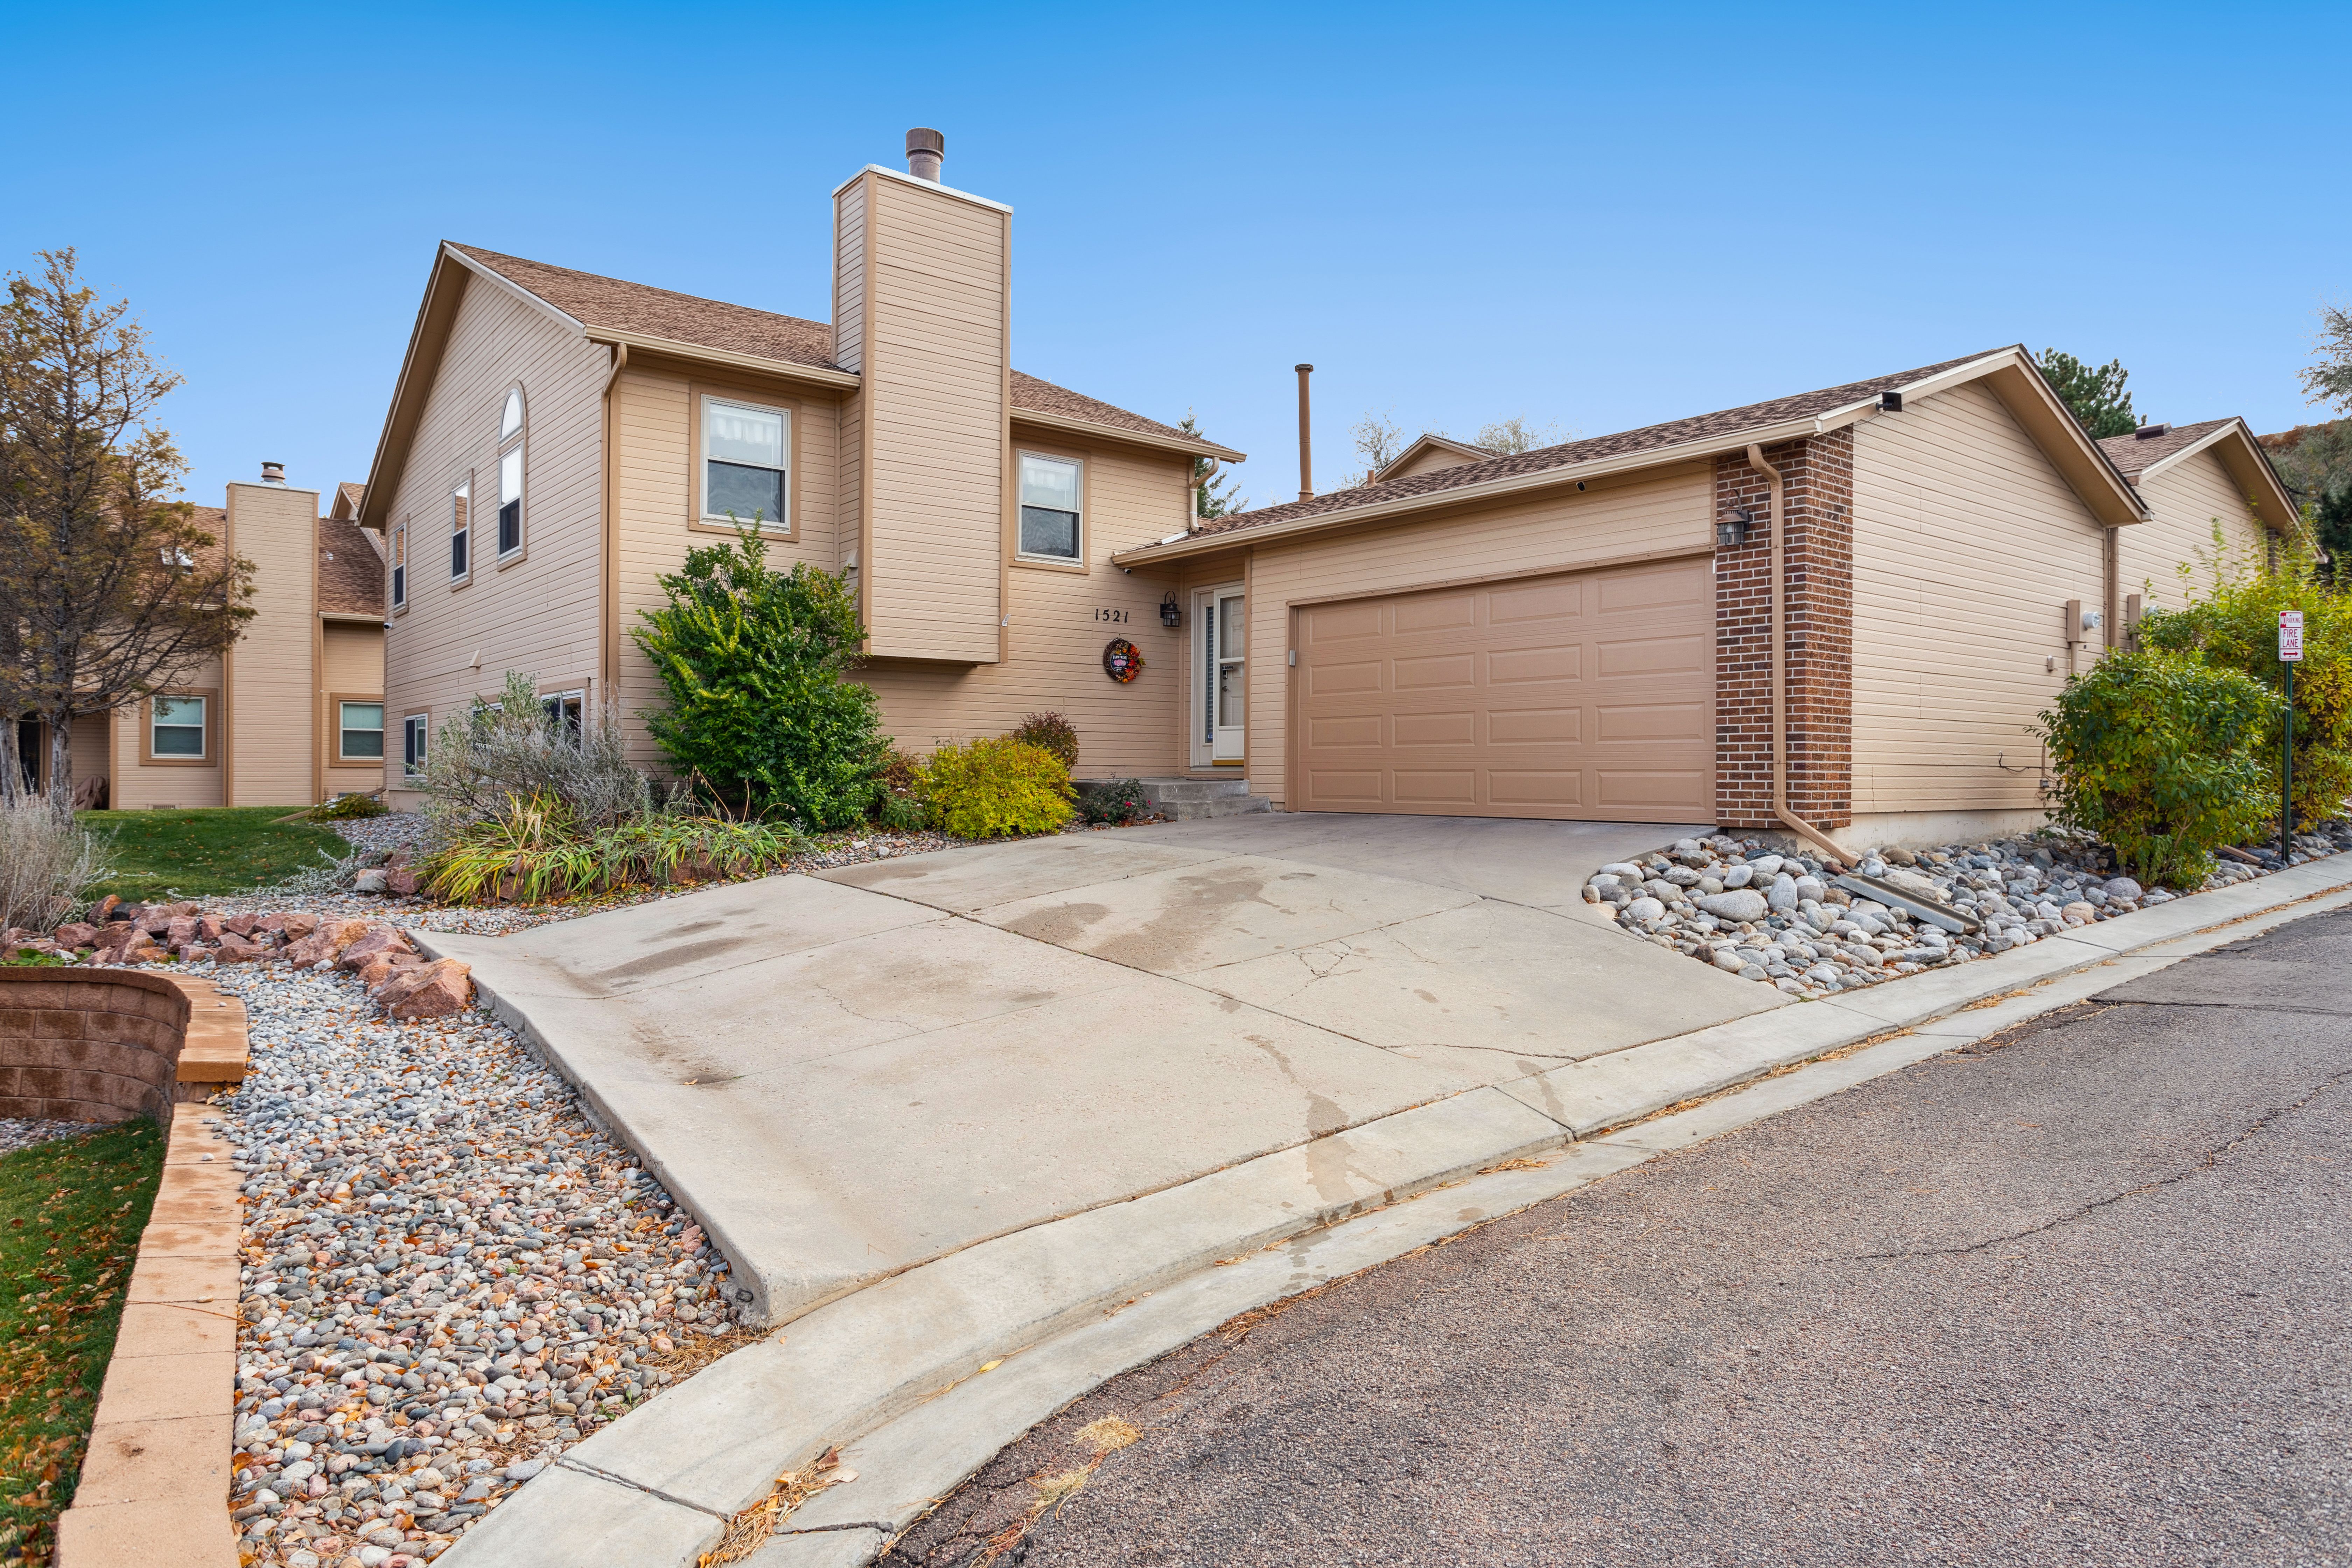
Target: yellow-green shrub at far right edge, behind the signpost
[{"x": 2236, "y": 626}]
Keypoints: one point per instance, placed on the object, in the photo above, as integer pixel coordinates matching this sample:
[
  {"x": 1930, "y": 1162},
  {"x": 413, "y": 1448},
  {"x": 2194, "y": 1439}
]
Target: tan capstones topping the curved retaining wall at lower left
[{"x": 156, "y": 1475}]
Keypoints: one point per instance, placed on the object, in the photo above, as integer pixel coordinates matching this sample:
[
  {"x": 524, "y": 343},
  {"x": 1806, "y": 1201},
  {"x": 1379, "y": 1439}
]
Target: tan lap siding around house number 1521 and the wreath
[{"x": 1055, "y": 643}]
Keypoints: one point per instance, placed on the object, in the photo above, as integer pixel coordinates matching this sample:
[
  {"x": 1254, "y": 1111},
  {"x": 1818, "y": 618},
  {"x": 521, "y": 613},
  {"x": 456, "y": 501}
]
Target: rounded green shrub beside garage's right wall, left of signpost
[{"x": 2163, "y": 758}]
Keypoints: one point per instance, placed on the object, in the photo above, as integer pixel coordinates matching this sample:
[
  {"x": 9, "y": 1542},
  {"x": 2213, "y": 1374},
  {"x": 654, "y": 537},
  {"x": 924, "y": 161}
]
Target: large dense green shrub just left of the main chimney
[{"x": 761, "y": 716}]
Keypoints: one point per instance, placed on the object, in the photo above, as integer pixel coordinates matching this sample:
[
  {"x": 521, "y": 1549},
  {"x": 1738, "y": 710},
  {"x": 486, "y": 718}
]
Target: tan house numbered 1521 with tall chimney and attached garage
[{"x": 1584, "y": 631}]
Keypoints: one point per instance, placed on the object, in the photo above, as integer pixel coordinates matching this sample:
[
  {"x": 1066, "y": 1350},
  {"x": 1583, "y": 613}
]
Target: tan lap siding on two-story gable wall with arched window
[{"x": 542, "y": 615}]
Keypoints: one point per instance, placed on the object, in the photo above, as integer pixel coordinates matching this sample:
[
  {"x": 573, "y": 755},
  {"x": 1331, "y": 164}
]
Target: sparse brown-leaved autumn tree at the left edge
[{"x": 109, "y": 589}]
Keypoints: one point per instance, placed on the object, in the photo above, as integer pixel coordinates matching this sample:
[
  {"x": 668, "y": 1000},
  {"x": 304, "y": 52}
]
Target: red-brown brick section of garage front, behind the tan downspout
[{"x": 1817, "y": 500}]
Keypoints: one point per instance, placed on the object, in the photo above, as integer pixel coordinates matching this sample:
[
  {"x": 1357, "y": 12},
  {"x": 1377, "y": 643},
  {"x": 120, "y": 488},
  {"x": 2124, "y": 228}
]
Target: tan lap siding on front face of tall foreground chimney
[{"x": 935, "y": 415}]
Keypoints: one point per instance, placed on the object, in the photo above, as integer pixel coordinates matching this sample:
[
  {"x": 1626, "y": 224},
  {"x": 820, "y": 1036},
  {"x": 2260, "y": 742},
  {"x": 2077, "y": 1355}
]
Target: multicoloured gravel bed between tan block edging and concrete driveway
[{"x": 450, "y": 1275}]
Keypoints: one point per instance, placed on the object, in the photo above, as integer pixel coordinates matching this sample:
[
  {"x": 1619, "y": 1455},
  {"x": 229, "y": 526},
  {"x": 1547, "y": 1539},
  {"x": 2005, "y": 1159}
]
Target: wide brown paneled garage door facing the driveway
[{"x": 1586, "y": 695}]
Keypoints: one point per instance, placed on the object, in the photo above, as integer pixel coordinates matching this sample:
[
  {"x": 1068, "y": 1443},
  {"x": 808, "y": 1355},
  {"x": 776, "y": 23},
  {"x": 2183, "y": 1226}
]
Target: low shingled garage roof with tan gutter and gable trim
[{"x": 1681, "y": 441}]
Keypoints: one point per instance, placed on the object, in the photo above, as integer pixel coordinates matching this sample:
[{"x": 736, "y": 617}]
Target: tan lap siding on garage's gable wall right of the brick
[{"x": 1967, "y": 544}]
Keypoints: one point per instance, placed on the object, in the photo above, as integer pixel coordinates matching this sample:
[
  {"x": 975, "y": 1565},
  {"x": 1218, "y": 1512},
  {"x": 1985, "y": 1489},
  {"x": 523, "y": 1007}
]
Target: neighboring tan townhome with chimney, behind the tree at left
[{"x": 293, "y": 713}]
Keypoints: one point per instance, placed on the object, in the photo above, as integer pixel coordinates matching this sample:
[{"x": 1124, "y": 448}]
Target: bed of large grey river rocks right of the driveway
[{"x": 1779, "y": 918}]
